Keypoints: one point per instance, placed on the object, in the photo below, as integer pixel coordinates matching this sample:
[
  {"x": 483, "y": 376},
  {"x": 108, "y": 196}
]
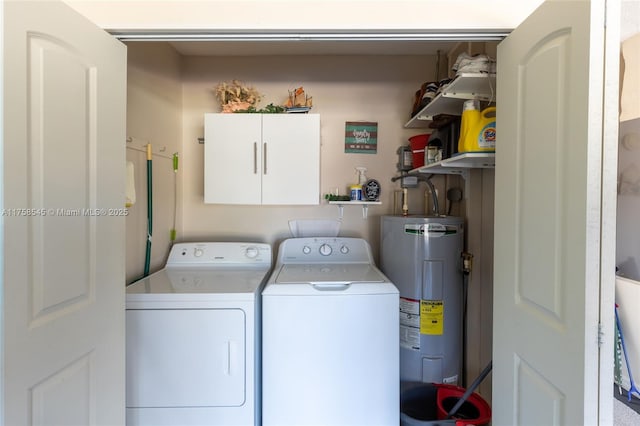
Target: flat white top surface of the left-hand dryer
[{"x": 213, "y": 281}]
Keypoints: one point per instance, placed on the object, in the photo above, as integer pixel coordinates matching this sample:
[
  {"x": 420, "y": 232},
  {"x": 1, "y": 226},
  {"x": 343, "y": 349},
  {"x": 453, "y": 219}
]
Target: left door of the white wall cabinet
[{"x": 232, "y": 159}]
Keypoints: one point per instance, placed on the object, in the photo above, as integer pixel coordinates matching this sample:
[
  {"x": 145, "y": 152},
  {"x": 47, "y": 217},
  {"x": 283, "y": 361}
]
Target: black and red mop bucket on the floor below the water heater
[{"x": 424, "y": 404}]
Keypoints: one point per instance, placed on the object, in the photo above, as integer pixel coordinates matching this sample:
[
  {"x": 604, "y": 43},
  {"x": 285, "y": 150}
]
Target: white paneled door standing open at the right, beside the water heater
[{"x": 553, "y": 266}]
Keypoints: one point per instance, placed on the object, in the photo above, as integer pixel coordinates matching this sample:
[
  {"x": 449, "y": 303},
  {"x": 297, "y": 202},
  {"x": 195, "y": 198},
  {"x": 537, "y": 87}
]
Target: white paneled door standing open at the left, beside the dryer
[{"x": 63, "y": 247}]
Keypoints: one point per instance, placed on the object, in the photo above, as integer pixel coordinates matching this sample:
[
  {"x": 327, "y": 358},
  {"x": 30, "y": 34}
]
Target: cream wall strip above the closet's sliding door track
[{"x": 314, "y": 14}]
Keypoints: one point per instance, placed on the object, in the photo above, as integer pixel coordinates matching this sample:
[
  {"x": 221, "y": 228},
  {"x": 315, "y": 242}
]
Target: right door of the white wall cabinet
[{"x": 291, "y": 159}]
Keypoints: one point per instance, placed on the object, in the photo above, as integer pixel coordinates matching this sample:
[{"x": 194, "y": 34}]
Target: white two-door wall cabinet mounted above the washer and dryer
[{"x": 262, "y": 159}]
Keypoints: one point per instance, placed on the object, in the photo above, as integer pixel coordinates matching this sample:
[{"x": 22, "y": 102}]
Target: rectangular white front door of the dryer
[{"x": 185, "y": 357}]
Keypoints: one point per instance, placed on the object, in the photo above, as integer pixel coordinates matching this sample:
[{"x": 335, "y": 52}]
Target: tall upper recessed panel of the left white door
[{"x": 57, "y": 72}]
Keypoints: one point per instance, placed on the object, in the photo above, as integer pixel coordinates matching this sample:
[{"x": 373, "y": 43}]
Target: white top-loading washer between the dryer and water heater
[{"x": 330, "y": 337}]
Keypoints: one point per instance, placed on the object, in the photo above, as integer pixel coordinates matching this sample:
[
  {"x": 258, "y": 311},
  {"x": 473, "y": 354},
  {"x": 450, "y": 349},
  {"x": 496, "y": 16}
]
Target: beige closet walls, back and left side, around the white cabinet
[{"x": 169, "y": 95}]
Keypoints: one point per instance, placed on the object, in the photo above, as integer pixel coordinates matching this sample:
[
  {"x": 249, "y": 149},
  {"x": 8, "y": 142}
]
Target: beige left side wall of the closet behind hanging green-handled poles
[{"x": 154, "y": 115}]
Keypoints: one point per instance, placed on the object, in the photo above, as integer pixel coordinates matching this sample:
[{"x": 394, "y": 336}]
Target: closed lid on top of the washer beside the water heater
[{"x": 329, "y": 273}]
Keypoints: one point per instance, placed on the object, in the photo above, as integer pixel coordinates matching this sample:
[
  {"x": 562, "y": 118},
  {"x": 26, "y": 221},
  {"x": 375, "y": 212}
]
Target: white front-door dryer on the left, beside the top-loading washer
[{"x": 192, "y": 337}]
